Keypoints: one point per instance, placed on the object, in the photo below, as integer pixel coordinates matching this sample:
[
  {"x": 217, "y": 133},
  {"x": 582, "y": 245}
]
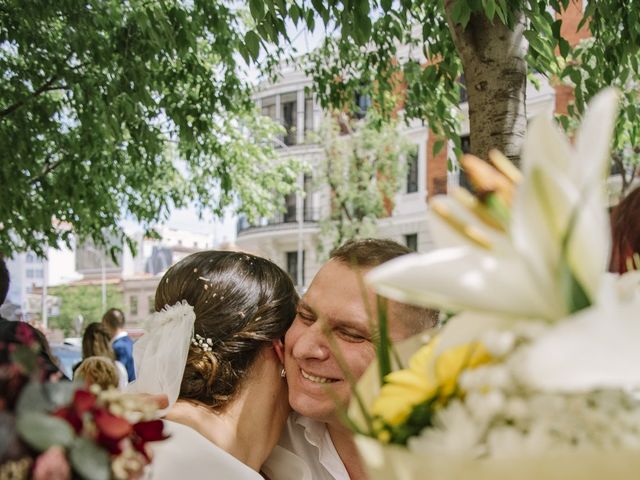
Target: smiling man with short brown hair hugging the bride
[{"x": 335, "y": 302}]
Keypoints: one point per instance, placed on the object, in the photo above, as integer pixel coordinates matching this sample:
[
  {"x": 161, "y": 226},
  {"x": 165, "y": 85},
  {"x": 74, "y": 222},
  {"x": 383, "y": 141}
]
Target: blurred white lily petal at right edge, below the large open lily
[{"x": 595, "y": 348}]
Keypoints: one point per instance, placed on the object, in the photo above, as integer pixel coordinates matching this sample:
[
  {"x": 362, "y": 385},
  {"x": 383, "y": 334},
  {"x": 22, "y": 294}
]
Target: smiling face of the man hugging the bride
[{"x": 334, "y": 303}]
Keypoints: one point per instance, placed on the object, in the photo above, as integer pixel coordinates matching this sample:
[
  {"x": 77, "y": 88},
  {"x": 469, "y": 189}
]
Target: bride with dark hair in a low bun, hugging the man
[{"x": 214, "y": 349}]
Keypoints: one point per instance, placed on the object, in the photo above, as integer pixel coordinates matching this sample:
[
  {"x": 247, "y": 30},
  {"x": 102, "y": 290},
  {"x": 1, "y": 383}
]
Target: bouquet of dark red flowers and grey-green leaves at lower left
[{"x": 63, "y": 430}]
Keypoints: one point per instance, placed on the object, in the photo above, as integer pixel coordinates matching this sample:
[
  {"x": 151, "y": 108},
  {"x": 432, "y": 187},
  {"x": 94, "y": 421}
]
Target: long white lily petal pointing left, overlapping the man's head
[{"x": 463, "y": 278}]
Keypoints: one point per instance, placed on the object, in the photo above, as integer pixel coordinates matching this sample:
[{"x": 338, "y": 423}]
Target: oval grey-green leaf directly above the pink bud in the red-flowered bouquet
[{"x": 42, "y": 431}]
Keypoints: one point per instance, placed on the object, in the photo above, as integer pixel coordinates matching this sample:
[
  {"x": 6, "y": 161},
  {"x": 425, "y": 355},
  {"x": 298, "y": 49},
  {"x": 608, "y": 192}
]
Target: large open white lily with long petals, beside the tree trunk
[{"x": 558, "y": 234}]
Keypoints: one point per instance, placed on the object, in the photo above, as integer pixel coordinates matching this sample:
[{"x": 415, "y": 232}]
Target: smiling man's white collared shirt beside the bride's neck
[{"x": 310, "y": 440}]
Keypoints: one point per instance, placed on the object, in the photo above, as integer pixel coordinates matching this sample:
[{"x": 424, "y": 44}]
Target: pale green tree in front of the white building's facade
[{"x": 362, "y": 166}]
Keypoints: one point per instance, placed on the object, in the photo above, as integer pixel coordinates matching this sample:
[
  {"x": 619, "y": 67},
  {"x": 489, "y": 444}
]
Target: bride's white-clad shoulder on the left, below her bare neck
[{"x": 187, "y": 451}]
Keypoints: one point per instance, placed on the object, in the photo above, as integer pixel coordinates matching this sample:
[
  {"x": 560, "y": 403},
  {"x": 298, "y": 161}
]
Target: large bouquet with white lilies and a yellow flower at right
[{"x": 534, "y": 374}]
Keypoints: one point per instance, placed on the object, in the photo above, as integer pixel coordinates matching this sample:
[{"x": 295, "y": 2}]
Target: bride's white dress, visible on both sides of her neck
[{"x": 187, "y": 454}]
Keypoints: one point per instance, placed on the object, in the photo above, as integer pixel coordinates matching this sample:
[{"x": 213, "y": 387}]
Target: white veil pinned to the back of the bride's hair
[{"x": 160, "y": 355}]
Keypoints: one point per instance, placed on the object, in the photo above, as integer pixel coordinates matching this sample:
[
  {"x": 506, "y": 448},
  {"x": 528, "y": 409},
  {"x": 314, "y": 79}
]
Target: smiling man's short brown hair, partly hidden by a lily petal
[{"x": 371, "y": 252}]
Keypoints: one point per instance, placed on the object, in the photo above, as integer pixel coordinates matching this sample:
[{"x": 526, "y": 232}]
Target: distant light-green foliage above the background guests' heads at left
[{"x": 85, "y": 300}]
